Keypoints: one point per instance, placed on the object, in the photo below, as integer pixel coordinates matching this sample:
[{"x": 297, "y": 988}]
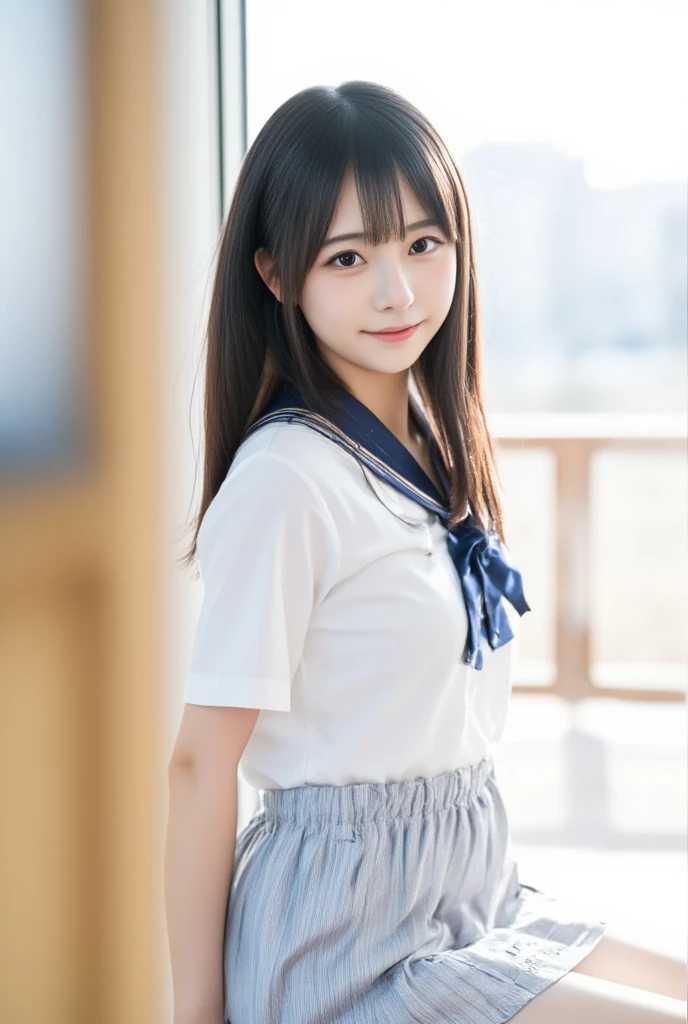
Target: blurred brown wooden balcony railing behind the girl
[{"x": 574, "y": 441}]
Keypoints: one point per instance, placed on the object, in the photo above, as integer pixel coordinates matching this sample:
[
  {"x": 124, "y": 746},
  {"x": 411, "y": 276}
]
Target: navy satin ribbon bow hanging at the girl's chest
[{"x": 487, "y": 576}]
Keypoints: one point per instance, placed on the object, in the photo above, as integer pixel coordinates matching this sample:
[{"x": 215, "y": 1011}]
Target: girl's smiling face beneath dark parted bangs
[{"x": 355, "y": 289}]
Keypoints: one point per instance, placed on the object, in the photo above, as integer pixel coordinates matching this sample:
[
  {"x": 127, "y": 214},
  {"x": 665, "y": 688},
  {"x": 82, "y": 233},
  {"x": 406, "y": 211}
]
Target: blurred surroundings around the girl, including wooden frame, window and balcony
[{"x": 124, "y": 123}]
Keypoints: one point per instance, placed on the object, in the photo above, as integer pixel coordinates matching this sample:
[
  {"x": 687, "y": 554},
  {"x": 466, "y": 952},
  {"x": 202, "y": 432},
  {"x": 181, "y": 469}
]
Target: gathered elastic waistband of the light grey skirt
[{"x": 363, "y": 802}]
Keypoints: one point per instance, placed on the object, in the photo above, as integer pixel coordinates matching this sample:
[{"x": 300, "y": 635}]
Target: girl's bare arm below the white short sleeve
[{"x": 200, "y": 854}]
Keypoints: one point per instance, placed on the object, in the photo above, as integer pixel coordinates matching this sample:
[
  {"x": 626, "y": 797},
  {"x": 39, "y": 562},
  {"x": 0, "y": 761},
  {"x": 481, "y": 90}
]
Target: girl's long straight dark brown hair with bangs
[{"x": 284, "y": 201}]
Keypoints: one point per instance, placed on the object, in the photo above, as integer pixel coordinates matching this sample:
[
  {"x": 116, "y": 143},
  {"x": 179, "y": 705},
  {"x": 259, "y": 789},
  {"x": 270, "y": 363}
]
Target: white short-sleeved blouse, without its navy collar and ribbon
[{"x": 342, "y": 623}]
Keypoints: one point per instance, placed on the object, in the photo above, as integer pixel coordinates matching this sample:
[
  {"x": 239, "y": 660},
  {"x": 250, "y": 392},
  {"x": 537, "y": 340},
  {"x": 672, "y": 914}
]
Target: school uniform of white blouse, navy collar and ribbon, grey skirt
[{"x": 376, "y": 881}]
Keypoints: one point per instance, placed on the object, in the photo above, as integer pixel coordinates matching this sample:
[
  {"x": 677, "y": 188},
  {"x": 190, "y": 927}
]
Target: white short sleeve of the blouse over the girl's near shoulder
[{"x": 269, "y": 553}]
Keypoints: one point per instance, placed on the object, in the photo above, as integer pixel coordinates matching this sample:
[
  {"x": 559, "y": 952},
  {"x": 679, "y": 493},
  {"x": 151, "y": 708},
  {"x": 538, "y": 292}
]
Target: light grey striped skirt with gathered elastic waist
[{"x": 396, "y": 903}]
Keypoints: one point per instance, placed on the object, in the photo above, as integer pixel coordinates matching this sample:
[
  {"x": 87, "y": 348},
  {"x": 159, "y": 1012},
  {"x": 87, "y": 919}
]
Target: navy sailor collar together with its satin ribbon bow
[{"x": 486, "y": 572}]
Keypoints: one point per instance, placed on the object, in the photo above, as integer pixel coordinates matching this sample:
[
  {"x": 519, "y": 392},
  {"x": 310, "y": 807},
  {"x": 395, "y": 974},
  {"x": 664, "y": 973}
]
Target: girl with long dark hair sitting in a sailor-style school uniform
[{"x": 356, "y": 642}]
